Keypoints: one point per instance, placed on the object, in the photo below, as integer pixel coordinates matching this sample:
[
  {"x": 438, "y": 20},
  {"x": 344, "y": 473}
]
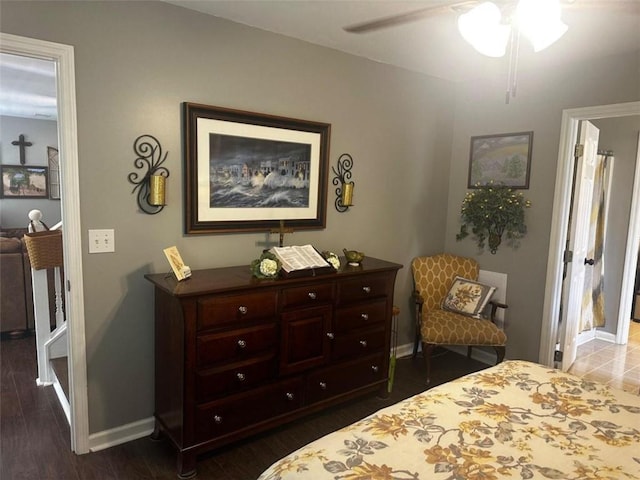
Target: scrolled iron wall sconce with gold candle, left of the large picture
[{"x": 152, "y": 186}]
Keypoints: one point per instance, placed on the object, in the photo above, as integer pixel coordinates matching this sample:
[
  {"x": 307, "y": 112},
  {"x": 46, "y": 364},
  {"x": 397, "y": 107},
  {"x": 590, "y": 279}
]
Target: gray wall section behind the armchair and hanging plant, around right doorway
[{"x": 541, "y": 97}]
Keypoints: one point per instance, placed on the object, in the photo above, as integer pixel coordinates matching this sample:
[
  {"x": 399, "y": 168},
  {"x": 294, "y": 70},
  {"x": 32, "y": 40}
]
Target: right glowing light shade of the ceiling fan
[{"x": 539, "y": 21}]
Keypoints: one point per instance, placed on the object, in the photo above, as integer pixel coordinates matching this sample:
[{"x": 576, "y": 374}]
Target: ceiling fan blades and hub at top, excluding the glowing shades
[{"x": 463, "y": 6}]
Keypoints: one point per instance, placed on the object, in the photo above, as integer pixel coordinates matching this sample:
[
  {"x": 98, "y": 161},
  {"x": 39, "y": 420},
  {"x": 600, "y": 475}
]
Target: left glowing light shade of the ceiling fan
[{"x": 482, "y": 27}]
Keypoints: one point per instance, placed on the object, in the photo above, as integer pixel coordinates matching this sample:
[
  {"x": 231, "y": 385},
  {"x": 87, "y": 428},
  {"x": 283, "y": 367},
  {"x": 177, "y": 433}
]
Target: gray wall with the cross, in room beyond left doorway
[{"x": 43, "y": 134}]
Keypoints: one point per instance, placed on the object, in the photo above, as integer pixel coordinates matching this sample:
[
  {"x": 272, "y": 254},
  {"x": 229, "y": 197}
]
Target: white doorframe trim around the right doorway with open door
[{"x": 571, "y": 119}]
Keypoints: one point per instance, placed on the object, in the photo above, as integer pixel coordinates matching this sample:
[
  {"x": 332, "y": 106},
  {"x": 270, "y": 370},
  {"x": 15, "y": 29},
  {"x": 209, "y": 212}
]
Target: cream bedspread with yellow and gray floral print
[{"x": 517, "y": 420}]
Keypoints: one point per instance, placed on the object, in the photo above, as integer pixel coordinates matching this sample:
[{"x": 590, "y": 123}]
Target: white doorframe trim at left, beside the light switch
[{"x": 63, "y": 56}]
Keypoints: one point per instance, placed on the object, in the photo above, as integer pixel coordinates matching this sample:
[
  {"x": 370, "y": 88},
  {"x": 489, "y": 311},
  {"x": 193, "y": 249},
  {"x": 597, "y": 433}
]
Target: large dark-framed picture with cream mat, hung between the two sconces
[{"x": 245, "y": 171}]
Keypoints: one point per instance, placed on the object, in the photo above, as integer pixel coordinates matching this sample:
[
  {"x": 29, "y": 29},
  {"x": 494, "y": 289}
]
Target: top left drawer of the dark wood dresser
[{"x": 216, "y": 310}]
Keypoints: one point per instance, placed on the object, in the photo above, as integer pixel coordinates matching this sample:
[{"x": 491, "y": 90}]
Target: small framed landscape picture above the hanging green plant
[{"x": 502, "y": 159}]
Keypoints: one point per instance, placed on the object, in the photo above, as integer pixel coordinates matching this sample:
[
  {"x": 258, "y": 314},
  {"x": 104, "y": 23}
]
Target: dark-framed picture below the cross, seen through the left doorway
[{"x": 21, "y": 181}]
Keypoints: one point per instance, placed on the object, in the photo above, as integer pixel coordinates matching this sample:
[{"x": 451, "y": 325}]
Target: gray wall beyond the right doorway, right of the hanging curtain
[{"x": 619, "y": 135}]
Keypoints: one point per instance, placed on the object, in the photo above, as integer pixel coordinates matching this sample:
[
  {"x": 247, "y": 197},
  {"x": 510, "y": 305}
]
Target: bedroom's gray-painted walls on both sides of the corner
[{"x": 408, "y": 134}]
